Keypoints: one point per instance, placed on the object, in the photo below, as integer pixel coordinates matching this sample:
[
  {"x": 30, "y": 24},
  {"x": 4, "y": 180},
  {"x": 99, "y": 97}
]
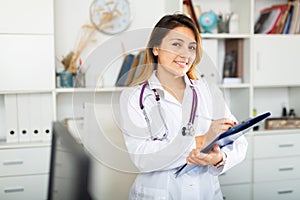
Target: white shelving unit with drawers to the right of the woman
[{"x": 270, "y": 81}]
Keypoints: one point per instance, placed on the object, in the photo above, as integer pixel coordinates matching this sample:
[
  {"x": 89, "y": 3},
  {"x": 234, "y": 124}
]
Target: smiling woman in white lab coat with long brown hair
[{"x": 169, "y": 115}]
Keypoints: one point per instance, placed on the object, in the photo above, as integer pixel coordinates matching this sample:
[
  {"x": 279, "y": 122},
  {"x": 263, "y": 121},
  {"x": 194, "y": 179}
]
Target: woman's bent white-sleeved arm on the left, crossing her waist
[{"x": 146, "y": 154}]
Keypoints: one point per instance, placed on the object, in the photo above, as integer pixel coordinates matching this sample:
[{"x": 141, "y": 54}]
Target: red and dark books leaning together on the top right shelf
[{"x": 279, "y": 19}]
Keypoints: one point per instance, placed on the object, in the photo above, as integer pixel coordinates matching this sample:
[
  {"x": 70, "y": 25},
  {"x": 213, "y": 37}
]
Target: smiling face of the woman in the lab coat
[{"x": 177, "y": 52}]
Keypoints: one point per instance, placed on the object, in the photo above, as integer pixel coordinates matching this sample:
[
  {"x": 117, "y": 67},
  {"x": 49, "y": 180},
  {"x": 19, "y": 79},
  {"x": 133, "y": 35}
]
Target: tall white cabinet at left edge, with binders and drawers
[{"x": 27, "y": 70}]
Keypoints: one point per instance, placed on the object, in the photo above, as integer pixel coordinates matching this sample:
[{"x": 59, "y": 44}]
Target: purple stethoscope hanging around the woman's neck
[{"x": 187, "y": 130}]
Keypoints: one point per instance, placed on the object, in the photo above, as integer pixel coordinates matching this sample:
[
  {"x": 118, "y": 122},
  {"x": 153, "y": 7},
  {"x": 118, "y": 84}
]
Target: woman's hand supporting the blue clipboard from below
[{"x": 211, "y": 158}]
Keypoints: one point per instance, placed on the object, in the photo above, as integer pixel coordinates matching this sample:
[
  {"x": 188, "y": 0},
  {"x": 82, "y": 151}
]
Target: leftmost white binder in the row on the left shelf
[{"x": 11, "y": 118}]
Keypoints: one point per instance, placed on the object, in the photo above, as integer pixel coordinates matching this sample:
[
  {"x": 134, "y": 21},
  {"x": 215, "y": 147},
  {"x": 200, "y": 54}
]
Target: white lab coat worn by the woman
[{"x": 157, "y": 161}]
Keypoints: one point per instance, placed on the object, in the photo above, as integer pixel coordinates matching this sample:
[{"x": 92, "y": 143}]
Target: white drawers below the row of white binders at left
[{"x": 24, "y": 171}]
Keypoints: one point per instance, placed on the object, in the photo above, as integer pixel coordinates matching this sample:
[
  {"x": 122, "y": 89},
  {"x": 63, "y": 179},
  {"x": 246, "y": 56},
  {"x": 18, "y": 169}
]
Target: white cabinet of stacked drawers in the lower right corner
[{"x": 276, "y": 168}]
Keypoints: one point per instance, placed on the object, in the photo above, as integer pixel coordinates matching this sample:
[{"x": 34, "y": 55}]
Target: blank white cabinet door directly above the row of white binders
[{"x": 27, "y": 62}]
